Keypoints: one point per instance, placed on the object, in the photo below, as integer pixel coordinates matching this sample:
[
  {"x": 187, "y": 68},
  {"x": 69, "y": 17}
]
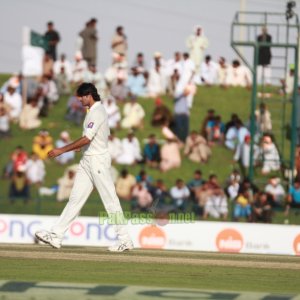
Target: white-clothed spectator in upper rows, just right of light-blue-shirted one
[{"x": 157, "y": 82}]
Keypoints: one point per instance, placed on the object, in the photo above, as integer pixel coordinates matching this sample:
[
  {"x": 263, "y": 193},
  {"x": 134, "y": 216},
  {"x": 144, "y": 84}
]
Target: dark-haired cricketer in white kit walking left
[{"x": 93, "y": 171}]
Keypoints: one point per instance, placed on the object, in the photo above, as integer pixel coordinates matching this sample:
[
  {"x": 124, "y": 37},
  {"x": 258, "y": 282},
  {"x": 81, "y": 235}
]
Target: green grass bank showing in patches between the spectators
[{"x": 225, "y": 102}]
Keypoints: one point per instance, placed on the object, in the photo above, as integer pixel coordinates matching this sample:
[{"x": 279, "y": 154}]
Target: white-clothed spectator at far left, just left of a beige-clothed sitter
[{"x": 14, "y": 101}]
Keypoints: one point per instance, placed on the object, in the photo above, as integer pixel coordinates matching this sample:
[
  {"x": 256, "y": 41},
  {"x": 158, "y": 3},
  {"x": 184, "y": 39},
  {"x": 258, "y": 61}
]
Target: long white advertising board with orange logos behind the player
[{"x": 195, "y": 236}]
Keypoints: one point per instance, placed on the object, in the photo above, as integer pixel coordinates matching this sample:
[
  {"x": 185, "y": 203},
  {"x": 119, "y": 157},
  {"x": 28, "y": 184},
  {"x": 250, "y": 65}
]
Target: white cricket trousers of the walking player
[{"x": 93, "y": 171}]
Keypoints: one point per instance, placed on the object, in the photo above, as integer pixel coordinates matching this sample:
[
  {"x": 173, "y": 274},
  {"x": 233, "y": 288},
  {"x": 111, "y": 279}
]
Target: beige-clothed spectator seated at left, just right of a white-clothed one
[{"x": 29, "y": 118}]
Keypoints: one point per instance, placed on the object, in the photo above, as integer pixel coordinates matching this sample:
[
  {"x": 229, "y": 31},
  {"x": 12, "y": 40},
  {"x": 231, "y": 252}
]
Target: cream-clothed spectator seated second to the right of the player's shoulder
[{"x": 133, "y": 114}]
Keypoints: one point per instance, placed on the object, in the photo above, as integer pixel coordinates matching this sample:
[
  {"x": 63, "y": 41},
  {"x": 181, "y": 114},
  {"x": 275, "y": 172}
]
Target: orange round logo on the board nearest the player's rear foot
[{"x": 152, "y": 237}]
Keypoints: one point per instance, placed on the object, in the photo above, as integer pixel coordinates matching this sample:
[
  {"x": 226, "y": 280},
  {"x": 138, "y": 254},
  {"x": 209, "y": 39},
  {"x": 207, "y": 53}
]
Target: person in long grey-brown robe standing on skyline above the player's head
[{"x": 90, "y": 38}]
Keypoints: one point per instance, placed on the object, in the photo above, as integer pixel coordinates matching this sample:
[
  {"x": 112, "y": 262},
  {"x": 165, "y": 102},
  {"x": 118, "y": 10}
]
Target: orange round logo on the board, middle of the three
[{"x": 229, "y": 240}]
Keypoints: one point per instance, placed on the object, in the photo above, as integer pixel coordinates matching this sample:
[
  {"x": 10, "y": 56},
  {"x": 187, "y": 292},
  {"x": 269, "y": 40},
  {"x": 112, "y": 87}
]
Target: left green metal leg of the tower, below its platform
[{"x": 252, "y": 115}]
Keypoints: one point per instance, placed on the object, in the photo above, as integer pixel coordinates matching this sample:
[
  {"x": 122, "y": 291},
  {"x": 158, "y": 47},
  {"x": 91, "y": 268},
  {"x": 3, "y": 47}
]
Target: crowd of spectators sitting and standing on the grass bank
[{"x": 122, "y": 86}]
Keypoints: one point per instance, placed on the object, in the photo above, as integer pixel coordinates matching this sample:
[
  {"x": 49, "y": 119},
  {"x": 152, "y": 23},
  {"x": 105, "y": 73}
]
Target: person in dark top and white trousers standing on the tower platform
[{"x": 264, "y": 58}]
